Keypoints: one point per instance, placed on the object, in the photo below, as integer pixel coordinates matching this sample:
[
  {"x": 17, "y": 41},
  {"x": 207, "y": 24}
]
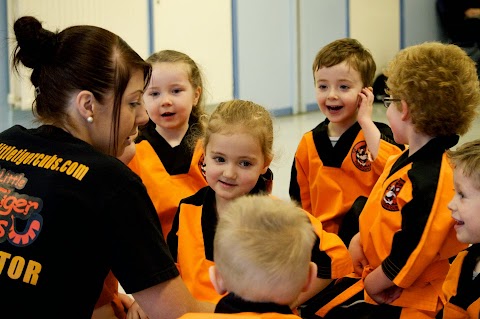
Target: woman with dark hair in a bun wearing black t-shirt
[{"x": 69, "y": 210}]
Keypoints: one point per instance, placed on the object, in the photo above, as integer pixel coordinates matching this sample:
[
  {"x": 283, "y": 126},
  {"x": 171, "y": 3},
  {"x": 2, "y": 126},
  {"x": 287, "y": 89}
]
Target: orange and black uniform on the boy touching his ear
[{"x": 327, "y": 179}]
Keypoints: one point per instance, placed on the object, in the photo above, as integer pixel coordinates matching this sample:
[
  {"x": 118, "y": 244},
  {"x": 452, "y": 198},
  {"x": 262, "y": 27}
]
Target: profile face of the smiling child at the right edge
[{"x": 465, "y": 207}]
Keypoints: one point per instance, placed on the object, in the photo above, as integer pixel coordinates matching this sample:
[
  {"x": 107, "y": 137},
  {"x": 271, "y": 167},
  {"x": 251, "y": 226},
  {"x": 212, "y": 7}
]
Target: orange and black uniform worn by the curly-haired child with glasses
[{"x": 407, "y": 229}]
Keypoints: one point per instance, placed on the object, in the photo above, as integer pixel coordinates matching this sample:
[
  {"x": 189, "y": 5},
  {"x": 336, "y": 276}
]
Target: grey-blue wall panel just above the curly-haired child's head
[{"x": 419, "y": 22}]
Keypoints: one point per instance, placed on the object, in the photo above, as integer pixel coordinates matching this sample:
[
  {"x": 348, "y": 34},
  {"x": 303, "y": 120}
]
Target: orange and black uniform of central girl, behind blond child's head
[{"x": 191, "y": 244}]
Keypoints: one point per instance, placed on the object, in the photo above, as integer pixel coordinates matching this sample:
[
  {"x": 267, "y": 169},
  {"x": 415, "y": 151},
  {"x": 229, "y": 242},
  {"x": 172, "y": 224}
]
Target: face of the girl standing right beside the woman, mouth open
[{"x": 170, "y": 96}]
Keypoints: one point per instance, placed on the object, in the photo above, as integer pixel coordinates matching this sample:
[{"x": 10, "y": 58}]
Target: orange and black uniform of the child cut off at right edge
[{"x": 461, "y": 288}]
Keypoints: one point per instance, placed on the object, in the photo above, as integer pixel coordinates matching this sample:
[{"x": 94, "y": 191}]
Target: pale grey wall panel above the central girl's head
[{"x": 264, "y": 47}]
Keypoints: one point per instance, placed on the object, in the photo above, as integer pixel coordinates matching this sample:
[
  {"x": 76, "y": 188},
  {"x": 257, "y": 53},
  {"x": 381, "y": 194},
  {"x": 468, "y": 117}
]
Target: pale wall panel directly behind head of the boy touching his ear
[{"x": 321, "y": 22}]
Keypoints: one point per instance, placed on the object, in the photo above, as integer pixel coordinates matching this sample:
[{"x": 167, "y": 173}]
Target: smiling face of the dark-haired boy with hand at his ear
[{"x": 337, "y": 91}]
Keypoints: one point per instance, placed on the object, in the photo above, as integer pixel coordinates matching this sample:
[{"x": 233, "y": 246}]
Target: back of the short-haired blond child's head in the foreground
[{"x": 262, "y": 250}]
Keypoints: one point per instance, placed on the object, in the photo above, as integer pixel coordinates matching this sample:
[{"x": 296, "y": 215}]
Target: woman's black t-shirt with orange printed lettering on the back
[{"x": 69, "y": 214}]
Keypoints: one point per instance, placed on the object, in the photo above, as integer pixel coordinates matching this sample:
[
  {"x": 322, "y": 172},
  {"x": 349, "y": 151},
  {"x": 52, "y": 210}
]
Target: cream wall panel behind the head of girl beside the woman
[{"x": 203, "y": 30}]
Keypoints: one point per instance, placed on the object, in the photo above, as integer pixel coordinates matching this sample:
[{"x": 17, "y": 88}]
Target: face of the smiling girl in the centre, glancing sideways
[{"x": 234, "y": 162}]
